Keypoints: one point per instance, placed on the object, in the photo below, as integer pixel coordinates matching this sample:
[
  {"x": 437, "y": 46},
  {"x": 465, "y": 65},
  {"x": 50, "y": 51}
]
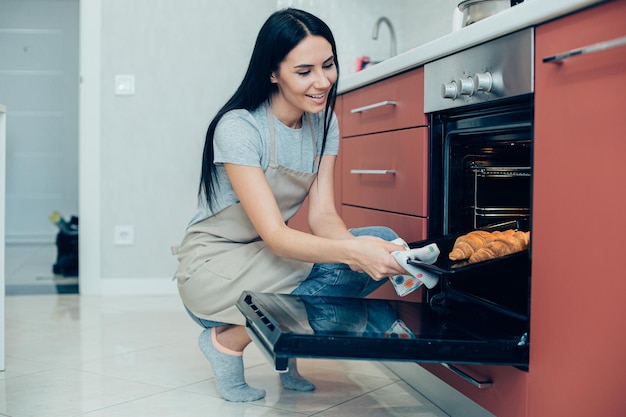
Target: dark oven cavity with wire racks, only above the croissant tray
[{"x": 482, "y": 174}]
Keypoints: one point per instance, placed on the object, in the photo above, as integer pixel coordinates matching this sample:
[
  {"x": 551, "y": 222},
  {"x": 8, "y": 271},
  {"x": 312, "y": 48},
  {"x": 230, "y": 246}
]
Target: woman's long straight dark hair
[{"x": 280, "y": 33}]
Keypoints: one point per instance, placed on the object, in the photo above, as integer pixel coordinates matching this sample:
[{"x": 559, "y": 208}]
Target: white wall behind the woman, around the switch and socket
[{"x": 140, "y": 154}]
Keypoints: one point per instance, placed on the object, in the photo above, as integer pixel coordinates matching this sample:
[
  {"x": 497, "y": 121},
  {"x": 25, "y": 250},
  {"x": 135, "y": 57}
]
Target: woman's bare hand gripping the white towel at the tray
[{"x": 372, "y": 255}]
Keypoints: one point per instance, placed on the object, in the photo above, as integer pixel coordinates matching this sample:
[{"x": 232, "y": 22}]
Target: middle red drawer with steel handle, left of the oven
[{"x": 387, "y": 171}]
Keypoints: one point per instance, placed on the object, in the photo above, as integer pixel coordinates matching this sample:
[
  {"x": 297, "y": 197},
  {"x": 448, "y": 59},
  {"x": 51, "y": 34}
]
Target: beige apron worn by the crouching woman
[{"x": 223, "y": 255}]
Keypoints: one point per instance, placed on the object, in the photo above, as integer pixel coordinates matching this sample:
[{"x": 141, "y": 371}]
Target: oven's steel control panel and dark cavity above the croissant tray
[{"x": 480, "y": 107}]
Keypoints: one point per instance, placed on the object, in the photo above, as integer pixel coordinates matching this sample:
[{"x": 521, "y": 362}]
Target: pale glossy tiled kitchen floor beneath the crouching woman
[{"x": 70, "y": 355}]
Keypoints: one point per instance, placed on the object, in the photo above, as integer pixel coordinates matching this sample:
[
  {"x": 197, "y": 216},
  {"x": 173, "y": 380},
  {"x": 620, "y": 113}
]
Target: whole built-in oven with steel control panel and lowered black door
[{"x": 479, "y": 105}]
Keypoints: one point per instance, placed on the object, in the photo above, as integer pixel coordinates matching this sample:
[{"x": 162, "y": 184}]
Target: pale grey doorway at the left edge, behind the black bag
[{"x": 39, "y": 81}]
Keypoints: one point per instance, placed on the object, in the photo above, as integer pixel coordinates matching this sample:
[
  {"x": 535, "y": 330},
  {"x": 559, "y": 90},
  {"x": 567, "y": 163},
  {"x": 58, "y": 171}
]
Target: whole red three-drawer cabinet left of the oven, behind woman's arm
[{"x": 384, "y": 162}]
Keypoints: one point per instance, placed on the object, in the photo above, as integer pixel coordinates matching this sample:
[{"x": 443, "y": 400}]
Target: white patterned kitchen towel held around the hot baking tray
[{"x": 404, "y": 284}]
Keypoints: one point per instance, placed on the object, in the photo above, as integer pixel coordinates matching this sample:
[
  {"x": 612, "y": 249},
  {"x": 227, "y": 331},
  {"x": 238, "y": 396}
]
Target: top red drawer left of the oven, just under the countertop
[{"x": 364, "y": 110}]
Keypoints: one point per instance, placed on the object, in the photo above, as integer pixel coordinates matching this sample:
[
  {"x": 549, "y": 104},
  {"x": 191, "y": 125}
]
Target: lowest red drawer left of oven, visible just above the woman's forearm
[{"x": 409, "y": 228}]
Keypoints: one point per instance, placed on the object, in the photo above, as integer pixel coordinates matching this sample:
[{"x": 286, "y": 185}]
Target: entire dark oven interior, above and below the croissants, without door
[{"x": 482, "y": 179}]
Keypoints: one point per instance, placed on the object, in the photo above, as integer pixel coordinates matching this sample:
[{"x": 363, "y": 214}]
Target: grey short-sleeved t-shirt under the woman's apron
[{"x": 242, "y": 137}]
